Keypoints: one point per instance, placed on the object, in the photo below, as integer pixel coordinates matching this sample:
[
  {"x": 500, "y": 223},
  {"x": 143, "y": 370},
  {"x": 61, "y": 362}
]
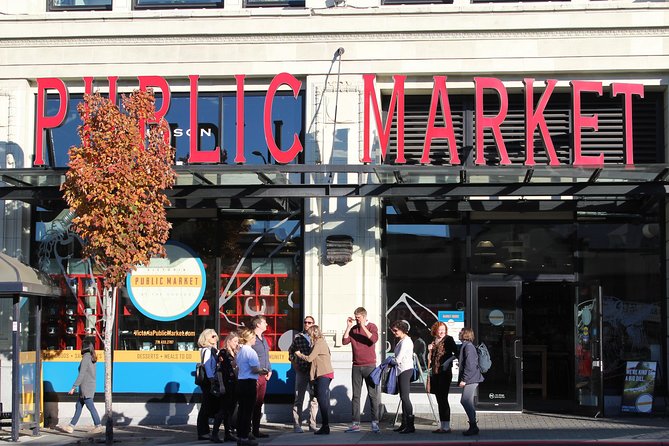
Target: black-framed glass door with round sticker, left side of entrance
[{"x": 497, "y": 321}]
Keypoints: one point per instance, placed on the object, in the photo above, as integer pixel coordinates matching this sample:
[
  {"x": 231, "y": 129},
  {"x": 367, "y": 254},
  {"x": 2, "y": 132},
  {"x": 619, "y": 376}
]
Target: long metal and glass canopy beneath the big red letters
[{"x": 221, "y": 184}]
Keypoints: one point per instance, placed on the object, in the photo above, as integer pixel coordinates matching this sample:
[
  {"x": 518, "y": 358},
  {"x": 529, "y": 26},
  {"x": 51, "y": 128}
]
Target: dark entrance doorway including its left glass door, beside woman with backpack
[{"x": 529, "y": 328}]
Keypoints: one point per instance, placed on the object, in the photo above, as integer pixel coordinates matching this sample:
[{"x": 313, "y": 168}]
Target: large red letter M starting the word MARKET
[{"x": 397, "y": 99}]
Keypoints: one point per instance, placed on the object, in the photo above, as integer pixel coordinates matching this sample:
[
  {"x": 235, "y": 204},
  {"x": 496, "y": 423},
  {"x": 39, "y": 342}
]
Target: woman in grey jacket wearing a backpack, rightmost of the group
[{"x": 469, "y": 377}]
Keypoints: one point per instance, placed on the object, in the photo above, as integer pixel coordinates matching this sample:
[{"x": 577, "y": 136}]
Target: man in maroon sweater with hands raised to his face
[{"x": 362, "y": 336}]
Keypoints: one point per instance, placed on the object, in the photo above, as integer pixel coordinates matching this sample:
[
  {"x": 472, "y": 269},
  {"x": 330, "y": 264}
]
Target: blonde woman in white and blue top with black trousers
[{"x": 248, "y": 366}]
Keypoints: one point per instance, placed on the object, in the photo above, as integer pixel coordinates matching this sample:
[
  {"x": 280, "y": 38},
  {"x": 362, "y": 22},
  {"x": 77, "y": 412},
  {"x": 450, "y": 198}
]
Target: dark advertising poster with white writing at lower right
[{"x": 639, "y": 386}]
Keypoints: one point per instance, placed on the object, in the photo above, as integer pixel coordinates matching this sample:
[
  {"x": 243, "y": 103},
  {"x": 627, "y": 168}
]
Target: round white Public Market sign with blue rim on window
[{"x": 168, "y": 288}]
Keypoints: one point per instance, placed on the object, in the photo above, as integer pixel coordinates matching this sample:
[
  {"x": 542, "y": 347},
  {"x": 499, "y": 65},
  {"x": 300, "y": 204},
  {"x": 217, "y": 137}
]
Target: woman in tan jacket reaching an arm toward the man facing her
[{"x": 321, "y": 374}]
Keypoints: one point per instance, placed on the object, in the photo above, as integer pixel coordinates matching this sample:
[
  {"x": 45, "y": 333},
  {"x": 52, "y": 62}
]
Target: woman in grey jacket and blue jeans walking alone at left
[{"x": 86, "y": 383}]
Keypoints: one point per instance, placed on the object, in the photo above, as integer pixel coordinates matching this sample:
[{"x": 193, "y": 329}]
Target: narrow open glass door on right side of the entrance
[{"x": 588, "y": 350}]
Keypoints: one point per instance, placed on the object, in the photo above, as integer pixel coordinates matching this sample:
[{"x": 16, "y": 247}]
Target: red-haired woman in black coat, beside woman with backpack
[{"x": 442, "y": 351}]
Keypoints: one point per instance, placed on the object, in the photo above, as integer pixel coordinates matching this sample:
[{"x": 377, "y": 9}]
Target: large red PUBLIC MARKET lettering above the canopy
[{"x": 534, "y": 117}]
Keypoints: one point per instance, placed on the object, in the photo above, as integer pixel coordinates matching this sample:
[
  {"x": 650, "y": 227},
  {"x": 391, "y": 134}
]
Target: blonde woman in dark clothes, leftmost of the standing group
[{"x": 208, "y": 343}]
